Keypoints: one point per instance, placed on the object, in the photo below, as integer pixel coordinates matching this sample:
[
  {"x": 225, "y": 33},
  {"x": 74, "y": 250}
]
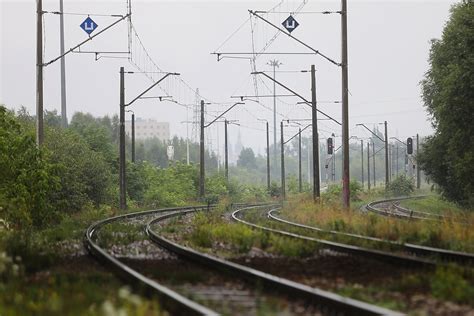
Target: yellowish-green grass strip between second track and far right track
[{"x": 452, "y": 233}]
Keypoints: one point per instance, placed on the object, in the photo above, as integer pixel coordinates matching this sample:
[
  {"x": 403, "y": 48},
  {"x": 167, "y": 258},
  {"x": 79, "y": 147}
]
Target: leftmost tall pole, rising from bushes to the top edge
[{"x": 39, "y": 73}]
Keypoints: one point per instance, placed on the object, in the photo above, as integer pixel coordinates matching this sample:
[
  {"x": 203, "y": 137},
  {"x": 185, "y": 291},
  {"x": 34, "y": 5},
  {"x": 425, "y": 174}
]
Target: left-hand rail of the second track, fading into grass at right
[{"x": 345, "y": 248}]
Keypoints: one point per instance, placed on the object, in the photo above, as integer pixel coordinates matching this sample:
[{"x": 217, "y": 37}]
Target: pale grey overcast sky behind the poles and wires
[{"x": 388, "y": 51}]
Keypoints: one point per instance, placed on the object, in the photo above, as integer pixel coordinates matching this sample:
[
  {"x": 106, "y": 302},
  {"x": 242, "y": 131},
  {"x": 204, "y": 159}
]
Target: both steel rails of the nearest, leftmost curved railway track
[{"x": 178, "y": 304}]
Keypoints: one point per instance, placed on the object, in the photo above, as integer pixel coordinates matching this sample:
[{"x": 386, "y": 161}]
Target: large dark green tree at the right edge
[{"x": 448, "y": 156}]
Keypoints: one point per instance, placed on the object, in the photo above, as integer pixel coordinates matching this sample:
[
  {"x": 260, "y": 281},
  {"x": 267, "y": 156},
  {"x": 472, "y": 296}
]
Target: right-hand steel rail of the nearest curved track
[{"x": 329, "y": 301}]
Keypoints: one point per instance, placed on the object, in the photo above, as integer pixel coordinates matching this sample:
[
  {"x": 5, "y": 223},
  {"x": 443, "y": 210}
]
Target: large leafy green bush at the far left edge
[{"x": 27, "y": 180}]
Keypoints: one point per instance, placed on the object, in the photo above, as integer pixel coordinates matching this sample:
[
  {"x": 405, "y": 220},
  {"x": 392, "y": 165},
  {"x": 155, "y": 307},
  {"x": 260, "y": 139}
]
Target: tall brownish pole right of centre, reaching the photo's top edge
[{"x": 345, "y": 109}]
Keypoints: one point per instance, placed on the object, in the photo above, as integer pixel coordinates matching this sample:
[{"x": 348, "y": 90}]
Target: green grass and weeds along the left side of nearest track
[{"x": 33, "y": 280}]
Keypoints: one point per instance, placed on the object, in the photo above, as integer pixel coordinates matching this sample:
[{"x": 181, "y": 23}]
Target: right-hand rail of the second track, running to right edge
[{"x": 443, "y": 254}]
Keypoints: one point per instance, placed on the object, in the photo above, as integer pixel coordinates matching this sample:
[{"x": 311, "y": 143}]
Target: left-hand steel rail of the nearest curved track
[{"x": 171, "y": 300}]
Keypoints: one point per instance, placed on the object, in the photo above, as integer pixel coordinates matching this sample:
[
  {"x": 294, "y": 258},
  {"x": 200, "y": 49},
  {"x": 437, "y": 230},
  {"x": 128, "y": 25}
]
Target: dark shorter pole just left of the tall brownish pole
[{"x": 314, "y": 116}]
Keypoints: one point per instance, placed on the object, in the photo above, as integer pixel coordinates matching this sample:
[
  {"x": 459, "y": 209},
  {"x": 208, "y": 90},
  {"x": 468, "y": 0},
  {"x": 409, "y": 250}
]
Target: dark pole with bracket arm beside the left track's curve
[{"x": 122, "y": 173}]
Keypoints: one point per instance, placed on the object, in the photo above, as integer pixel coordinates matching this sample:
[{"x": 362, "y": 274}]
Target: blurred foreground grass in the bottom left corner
[{"x": 71, "y": 293}]
